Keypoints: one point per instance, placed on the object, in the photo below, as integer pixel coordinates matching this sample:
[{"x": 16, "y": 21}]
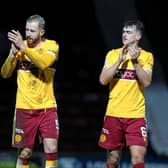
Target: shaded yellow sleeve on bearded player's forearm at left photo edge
[{"x": 8, "y": 66}]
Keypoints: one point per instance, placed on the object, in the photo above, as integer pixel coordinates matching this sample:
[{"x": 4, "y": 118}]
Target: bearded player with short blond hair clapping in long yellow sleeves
[{"x": 35, "y": 111}]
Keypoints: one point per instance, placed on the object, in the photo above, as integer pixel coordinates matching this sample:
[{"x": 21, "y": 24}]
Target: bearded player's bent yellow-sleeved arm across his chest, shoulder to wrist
[{"x": 43, "y": 58}]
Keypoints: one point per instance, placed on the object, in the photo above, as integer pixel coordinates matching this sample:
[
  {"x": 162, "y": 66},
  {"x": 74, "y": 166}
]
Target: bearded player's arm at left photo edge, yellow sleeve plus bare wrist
[{"x": 10, "y": 63}]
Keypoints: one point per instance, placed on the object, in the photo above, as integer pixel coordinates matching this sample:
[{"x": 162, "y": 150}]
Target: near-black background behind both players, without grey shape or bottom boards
[{"x": 85, "y": 31}]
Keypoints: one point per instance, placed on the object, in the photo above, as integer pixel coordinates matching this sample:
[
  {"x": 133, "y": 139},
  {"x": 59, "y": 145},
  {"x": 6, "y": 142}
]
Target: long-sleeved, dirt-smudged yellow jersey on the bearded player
[{"x": 35, "y": 75}]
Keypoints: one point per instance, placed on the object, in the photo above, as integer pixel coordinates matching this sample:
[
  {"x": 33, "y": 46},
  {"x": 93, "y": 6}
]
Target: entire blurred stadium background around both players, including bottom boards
[{"x": 86, "y": 30}]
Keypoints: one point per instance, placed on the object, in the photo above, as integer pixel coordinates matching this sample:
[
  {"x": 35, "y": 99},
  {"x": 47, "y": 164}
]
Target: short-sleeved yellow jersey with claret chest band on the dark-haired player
[{"x": 126, "y": 96}]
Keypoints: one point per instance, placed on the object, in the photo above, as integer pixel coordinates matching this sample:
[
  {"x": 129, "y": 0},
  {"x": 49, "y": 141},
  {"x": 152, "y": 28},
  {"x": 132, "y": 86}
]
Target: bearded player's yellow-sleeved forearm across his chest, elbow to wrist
[{"x": 41, "y": 60}]
